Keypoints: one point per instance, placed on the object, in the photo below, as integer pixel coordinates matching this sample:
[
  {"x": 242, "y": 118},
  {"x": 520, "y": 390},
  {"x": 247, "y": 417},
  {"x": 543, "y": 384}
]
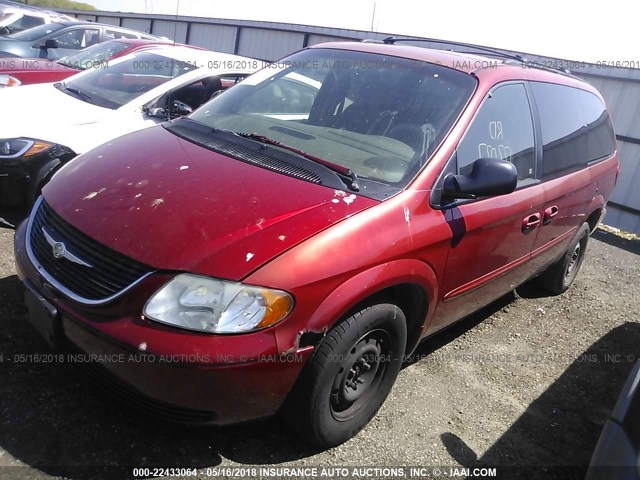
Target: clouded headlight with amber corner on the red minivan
[{"x": 216, "y": 306}]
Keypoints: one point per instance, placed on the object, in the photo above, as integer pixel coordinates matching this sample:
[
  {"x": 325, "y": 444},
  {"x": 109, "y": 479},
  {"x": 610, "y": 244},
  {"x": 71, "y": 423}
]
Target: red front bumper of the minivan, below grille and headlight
[{"x": 181, "y": 376}]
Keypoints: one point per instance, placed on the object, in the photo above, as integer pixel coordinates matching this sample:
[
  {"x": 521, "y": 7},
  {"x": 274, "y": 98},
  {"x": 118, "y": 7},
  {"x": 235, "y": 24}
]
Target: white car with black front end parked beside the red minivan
[{"x": 46, "y": 125}]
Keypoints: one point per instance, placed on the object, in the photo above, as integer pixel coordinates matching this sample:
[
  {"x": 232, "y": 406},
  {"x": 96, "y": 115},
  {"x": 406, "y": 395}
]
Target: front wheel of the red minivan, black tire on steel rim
[{"x": 350, "y": 375}]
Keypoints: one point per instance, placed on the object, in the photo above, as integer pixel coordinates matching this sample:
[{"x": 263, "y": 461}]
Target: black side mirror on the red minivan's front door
[{"x": 488, "y": 177}]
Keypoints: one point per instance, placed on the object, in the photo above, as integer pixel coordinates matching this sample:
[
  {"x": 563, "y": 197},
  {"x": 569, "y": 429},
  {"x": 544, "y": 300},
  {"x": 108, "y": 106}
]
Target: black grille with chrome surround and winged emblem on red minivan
[{"x": 82, "y": 268}]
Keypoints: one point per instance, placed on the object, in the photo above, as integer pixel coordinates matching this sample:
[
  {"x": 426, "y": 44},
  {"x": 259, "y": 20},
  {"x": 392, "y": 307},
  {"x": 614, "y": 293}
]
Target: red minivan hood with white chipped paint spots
[{"x": 174, "y": 205}]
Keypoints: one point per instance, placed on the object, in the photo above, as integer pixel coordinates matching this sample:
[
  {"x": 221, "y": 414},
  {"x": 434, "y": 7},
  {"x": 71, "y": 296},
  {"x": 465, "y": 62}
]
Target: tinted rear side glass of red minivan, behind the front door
[{"x": 576, "y": 128}]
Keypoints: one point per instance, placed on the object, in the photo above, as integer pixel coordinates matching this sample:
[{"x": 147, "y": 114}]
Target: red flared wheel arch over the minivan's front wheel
[{"x": 356, "y": 290}]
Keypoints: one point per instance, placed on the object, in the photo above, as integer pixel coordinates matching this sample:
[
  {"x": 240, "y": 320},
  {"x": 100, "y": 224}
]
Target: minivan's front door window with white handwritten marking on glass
[{"x": 503, "y": 129}]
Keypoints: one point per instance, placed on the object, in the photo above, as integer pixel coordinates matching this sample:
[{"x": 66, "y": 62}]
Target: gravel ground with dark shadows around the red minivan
[{"x": 528, "y": 381}]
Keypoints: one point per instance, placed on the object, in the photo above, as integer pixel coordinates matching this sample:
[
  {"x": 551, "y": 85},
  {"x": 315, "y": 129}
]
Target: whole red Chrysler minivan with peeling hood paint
[{"x": 285, "y": 246}]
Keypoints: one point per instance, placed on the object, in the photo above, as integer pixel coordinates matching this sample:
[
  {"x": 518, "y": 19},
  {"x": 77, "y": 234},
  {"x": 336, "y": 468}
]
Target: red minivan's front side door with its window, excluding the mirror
[{"x": 492, "y": 237}]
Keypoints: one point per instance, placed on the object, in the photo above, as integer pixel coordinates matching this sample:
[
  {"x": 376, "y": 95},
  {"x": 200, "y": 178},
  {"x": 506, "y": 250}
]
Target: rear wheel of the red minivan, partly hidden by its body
[{"x": 559, "y": 276}]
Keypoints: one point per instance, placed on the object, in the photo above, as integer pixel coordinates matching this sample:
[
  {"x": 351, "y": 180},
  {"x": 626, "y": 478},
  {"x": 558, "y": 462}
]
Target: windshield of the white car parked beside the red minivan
[{"x": 123, "y": 82}]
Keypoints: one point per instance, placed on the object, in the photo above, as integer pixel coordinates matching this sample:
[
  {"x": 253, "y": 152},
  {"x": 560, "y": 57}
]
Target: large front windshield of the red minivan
[{"x": 378, "y": 116}]
